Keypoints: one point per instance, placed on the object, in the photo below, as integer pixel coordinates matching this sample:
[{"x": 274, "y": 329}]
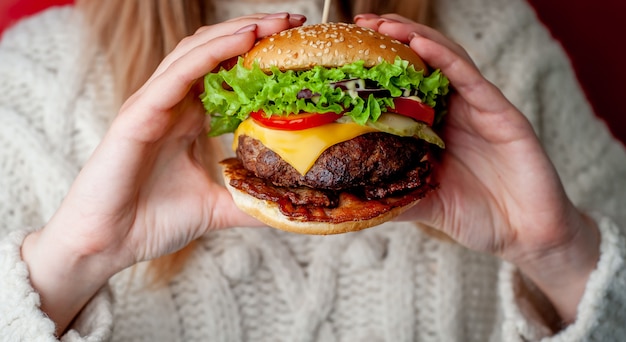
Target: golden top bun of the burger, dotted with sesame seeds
[{"x": 329, "y": 45}]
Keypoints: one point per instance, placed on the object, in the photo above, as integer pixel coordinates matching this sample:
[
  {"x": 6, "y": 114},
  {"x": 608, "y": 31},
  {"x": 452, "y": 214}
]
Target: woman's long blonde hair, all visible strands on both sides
[{"x": 135, "y": 35}]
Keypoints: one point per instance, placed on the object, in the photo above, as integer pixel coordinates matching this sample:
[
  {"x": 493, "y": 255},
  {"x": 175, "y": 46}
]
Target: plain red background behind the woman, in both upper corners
[{"x": 592, "y": 34}]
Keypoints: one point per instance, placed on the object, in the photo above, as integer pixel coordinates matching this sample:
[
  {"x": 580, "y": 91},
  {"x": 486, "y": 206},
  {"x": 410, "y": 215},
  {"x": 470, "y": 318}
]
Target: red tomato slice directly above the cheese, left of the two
[{"x": 294, "y": 122}]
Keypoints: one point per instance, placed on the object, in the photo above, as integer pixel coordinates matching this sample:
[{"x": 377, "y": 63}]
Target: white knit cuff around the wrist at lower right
[{"x": 602, "y": 309}]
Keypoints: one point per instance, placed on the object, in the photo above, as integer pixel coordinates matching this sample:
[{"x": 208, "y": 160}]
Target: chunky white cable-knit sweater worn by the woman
[{"x": 390, "y": 283}]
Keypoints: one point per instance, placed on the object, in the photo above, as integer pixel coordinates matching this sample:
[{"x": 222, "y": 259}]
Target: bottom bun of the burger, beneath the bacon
[{"x": 351, "y": 214}]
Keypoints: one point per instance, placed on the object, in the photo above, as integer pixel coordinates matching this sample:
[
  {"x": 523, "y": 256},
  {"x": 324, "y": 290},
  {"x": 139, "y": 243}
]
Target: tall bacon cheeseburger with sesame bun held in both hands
[{"x": 333, "y": 127}]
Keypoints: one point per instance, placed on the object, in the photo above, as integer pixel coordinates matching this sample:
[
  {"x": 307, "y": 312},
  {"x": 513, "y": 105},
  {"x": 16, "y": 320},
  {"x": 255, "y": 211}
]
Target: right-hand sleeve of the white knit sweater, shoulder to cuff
[{"x": 592, "y": 167}]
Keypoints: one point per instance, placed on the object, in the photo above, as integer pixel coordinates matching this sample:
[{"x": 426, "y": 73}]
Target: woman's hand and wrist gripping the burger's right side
[{"x": 499, "y": 192}]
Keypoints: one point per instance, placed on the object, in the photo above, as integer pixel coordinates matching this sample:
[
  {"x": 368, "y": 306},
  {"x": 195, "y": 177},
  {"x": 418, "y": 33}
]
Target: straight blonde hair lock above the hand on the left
[{"x": 136, "y": 35}]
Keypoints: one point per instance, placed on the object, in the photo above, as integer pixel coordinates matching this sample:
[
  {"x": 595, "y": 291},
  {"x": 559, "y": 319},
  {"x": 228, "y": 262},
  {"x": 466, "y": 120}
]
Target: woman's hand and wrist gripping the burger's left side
[{"x": 145, "y": 191}]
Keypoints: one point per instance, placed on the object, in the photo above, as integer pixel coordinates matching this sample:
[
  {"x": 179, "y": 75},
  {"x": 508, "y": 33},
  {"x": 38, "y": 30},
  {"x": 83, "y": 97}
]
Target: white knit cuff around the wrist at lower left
[{"x": 20, "y": 316}]
